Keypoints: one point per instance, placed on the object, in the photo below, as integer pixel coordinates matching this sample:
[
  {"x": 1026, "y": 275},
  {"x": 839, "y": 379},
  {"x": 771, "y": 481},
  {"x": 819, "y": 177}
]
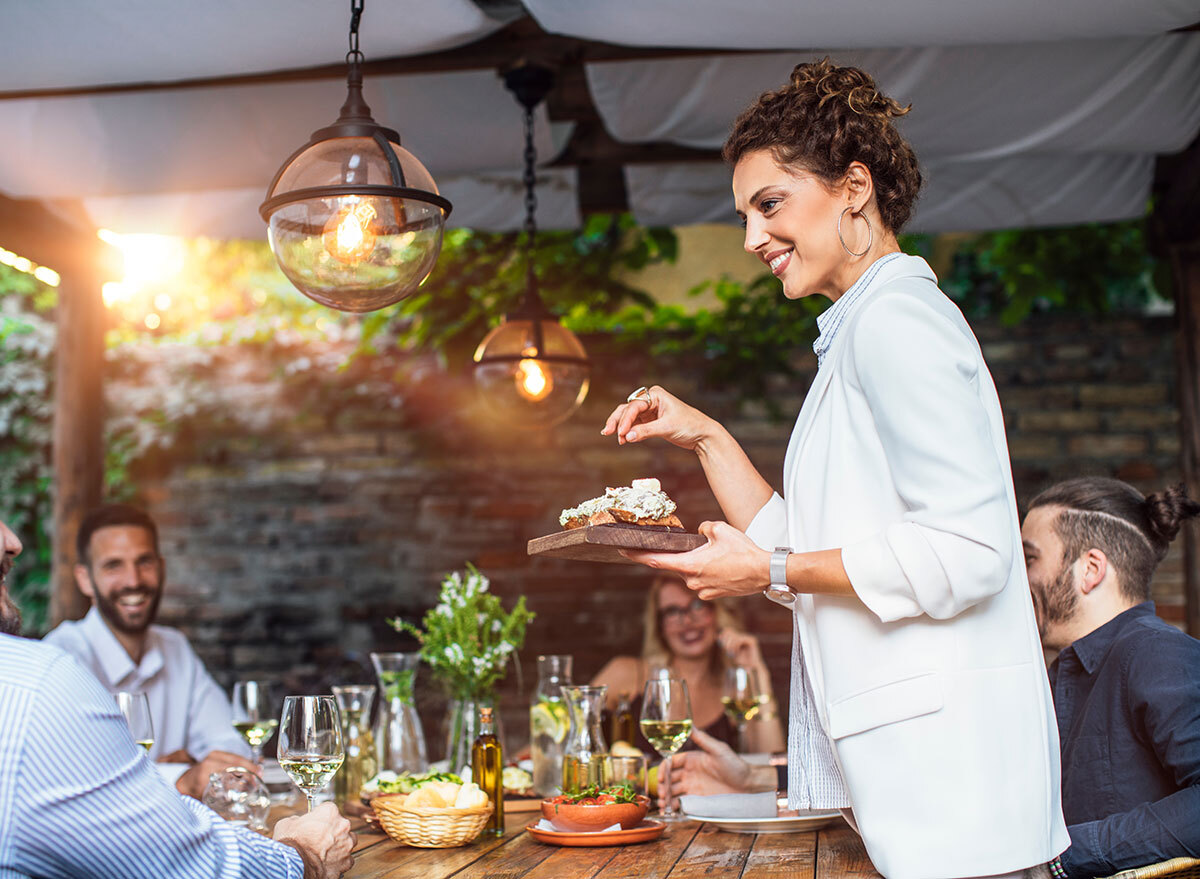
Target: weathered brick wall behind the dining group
[{"x": 296, "y": 523}]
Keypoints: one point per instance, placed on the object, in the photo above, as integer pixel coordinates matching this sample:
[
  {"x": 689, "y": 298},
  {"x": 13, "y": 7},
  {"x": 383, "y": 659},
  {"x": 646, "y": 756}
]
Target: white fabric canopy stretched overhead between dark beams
[{"x": 1025, "y": 112}]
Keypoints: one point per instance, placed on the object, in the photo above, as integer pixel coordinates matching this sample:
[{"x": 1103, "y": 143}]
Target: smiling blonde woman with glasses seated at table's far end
[{"x": 697, "y": 642}]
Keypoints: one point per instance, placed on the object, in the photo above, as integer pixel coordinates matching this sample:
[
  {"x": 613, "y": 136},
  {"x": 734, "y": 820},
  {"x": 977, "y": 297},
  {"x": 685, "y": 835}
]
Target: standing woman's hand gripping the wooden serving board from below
[{"x": 729, "y": 565}]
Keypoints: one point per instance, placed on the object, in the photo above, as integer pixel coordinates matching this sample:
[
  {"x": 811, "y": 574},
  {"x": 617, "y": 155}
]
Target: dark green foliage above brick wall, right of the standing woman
[{"x": 1085, "y": 270}]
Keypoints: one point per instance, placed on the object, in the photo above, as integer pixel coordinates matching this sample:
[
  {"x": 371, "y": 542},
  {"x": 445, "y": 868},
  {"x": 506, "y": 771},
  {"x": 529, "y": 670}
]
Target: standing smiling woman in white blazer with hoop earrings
[{"x": 920, "y": 697}]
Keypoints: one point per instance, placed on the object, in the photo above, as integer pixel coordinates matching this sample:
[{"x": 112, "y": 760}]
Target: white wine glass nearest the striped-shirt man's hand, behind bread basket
[{"x": 311, "y": 743}]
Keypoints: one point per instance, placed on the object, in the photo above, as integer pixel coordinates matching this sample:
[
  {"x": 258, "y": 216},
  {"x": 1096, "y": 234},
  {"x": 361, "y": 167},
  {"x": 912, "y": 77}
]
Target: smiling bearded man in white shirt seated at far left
[{"x": 123, "y": 572}]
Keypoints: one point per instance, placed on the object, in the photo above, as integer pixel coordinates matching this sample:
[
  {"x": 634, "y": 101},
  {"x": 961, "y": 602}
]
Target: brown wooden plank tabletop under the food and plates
[{"x": 687, "y": 851}]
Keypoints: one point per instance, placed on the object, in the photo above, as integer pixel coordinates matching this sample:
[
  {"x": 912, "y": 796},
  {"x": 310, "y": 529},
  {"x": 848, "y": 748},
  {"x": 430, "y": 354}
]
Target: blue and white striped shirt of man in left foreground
[{"x": 80, "y": 799}]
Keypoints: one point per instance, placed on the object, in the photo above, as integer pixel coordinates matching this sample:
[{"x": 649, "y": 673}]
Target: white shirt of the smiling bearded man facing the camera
[{"x": 189, "y": 710}]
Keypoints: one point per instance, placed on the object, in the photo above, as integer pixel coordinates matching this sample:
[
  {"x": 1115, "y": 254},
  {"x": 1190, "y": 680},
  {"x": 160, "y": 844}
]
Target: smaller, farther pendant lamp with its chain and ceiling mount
[{"x": 531, "y": 372}]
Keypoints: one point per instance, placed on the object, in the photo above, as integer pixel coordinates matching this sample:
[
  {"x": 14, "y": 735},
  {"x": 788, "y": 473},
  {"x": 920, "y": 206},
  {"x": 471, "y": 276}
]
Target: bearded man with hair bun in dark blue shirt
[{"x": 1126, "y": 685}]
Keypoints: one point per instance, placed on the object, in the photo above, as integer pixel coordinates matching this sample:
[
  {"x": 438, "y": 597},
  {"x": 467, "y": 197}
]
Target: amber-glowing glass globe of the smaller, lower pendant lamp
[{"x": 526, "y": 387}]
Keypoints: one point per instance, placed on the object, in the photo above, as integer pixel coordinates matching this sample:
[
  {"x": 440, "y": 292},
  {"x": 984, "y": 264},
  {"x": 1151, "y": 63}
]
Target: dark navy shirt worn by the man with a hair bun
[{"x": 1129, "y": 703}]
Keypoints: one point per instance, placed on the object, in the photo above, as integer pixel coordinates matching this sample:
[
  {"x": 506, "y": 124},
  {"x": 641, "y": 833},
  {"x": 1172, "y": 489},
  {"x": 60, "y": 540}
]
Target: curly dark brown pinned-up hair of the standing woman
[{"x": 826, "y": 118}]
